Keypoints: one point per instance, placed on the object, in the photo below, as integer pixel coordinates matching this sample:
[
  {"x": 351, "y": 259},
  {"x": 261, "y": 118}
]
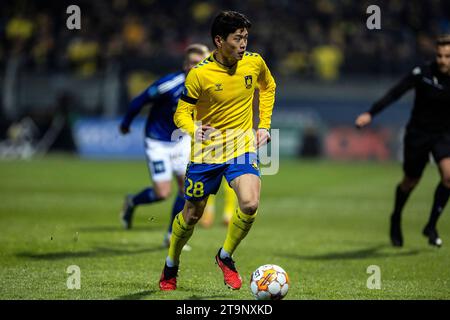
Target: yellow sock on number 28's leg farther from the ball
[{"x": 181, "y": 232}]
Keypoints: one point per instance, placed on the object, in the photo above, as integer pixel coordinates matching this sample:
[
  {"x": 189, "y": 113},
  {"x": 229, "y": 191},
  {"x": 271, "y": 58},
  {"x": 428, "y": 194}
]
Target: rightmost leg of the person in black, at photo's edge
[{"x": 441, "y": 153}]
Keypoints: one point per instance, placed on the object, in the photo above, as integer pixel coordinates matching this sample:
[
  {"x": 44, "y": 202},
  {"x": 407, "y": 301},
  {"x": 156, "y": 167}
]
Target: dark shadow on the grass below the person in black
[{"x": 371, "y": 252}]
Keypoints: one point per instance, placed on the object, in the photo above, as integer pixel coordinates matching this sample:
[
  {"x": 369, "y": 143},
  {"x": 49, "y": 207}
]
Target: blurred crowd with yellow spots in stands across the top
[{"x": 322, "y": 39}]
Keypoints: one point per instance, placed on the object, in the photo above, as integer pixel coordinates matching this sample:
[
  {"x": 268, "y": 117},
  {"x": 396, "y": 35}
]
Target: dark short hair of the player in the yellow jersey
[{"x": 227, "y": 22}]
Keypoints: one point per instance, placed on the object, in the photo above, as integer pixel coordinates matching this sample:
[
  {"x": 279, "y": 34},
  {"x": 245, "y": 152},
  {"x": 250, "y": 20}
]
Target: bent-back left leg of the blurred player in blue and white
[{"x": 159, "y": 165}]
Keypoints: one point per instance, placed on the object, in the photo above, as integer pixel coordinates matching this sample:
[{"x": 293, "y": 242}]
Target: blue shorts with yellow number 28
[{"x": 203, "y": 179}]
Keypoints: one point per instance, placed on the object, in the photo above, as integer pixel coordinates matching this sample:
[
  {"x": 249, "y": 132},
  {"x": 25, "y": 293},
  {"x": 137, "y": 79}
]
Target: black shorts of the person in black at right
[{"x": 418, "y": 144}]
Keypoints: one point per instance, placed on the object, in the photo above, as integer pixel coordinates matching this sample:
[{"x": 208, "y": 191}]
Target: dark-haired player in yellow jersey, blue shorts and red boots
[{"x": 216, "y": 110}]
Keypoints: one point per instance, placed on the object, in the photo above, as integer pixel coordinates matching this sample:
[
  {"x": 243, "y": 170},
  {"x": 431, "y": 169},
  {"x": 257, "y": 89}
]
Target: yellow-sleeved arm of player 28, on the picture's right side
[{"x": 266, "y": 102}]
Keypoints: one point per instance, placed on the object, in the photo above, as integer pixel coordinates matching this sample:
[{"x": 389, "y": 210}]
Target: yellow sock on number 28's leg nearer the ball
[{"x": 238, "y": 228}]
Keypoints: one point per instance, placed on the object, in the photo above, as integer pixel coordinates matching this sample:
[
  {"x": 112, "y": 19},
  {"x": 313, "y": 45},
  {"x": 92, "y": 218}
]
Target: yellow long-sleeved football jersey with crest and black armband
[{"x": 222, "y": 97}]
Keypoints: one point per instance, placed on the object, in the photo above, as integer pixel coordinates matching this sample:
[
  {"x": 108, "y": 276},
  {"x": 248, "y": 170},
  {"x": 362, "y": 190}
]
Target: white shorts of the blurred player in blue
[{"x": 165, "y": 158}]
